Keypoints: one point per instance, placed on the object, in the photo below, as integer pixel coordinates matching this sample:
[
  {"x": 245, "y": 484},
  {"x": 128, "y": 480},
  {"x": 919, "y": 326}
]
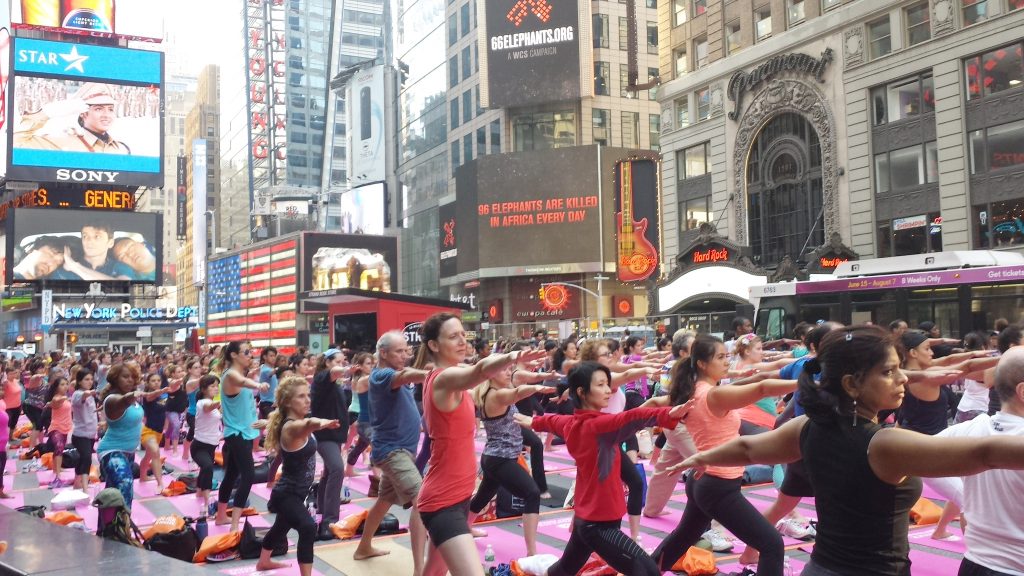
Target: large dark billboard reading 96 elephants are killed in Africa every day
[{"x": 533, "y": 211}]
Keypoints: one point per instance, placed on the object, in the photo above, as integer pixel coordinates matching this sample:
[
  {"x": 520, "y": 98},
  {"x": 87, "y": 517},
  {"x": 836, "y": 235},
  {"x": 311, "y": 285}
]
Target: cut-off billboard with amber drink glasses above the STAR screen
[{"x": 93, "y": 18}]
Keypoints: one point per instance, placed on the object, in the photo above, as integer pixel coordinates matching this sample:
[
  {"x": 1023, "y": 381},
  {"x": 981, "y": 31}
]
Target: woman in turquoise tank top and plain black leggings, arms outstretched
[{"x": 238, "y": 406}]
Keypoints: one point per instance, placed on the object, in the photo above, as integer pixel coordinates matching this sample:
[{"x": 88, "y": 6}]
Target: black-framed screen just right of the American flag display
[{"x": 350, "y": 261}]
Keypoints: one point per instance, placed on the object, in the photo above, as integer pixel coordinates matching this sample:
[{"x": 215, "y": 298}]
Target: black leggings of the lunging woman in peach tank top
[{"x": 710, "y": 499}]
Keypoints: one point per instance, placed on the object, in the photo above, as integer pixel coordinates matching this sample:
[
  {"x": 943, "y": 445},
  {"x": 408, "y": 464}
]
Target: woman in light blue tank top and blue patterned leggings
[{"x": 124, "y": 429}]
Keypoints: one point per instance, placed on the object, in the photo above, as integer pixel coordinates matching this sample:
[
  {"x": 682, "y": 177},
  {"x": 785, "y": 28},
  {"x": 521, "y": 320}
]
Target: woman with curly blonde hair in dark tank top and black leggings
[{"x": 290, "y": 434}]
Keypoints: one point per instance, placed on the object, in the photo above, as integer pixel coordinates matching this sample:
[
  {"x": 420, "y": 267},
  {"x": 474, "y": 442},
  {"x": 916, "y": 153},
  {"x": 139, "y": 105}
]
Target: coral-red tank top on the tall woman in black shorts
[{"x": 452, "y": 477}]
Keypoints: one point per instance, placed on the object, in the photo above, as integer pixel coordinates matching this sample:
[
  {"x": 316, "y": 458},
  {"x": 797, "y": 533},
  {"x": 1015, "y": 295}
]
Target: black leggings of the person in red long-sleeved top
[{"x": 608, "y": 541}]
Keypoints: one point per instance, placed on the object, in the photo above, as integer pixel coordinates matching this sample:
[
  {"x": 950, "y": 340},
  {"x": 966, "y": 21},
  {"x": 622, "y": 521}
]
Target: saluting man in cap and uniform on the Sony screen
[{"x": 94, "y": 104}]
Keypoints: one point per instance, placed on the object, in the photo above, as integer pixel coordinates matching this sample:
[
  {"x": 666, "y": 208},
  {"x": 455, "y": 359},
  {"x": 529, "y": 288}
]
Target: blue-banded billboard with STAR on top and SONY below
[{"x": 81, "y": 113}]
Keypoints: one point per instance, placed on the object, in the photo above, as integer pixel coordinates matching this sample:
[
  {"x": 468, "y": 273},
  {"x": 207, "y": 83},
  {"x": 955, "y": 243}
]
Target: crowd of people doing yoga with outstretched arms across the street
[{"x": 859, "y": 416}]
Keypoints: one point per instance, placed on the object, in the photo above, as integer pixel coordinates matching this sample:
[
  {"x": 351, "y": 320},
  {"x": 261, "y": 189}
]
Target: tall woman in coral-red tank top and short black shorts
[{"x": 451, "y": 420}]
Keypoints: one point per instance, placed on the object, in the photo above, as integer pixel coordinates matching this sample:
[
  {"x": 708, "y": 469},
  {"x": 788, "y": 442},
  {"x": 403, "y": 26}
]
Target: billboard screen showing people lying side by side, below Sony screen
[{"x": 83, "y": 245}]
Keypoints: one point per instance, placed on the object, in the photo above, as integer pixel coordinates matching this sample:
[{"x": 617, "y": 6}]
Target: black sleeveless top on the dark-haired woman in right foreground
[{"x": 863, "y": 521}]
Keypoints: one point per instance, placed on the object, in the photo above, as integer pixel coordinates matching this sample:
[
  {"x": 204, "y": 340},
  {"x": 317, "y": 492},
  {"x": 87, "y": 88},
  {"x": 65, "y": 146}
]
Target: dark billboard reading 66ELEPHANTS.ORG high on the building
[{"x": 531, "y": 52}]
